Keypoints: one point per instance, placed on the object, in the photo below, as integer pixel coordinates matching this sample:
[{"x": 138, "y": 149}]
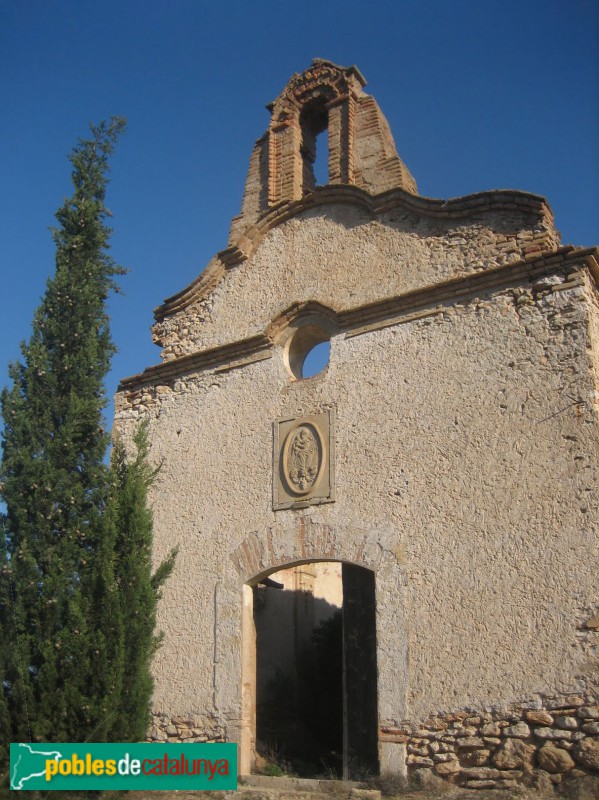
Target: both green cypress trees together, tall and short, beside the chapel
[{"x": 75, "y": 571}]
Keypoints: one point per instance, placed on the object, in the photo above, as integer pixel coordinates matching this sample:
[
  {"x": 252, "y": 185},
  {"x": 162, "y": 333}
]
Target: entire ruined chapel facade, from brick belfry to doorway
[{"x": 390, "y": 564}]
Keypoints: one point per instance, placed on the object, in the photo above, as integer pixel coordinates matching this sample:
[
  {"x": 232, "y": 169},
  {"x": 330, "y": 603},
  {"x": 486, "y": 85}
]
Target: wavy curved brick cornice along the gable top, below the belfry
[{"x": 458, "y": 208}]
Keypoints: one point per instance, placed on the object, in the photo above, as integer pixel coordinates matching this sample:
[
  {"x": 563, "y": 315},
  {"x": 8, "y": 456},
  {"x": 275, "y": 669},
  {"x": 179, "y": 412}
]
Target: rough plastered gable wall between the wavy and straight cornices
[{"x": 342, "y": 258}]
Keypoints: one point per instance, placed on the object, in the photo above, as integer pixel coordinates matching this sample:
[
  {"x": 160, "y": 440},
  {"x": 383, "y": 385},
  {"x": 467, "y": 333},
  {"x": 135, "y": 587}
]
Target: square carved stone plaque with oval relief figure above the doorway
[{"x": 303, "y": 461}]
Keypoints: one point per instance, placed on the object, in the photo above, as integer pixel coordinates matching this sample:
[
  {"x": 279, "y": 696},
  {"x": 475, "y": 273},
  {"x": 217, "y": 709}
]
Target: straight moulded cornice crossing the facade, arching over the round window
[{"x": 359, "y": 320}]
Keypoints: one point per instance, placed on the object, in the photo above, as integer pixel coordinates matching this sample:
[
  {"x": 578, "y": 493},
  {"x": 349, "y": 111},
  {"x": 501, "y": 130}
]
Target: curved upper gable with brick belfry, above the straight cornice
[{"x": 365, "y": 237}]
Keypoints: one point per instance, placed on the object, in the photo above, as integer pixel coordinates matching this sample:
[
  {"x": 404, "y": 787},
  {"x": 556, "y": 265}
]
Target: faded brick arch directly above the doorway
[{"x": 262, "y": 552}]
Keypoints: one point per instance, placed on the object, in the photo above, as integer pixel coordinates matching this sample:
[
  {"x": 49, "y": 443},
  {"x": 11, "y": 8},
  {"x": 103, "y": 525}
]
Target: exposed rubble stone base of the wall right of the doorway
[{"x": 536, "y": 743}]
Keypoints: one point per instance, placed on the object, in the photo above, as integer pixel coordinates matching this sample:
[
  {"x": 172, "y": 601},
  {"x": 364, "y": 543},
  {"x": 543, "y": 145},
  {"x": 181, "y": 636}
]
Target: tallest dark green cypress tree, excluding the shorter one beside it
[{"x": 54, "y": 481}]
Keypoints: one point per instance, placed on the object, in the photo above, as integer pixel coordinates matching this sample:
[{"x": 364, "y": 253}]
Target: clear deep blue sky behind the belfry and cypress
[{"x": 479, "y": 94}]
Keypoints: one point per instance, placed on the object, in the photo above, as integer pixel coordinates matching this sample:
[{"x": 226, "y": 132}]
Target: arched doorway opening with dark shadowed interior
[{"x": 310, "y": 674}]
